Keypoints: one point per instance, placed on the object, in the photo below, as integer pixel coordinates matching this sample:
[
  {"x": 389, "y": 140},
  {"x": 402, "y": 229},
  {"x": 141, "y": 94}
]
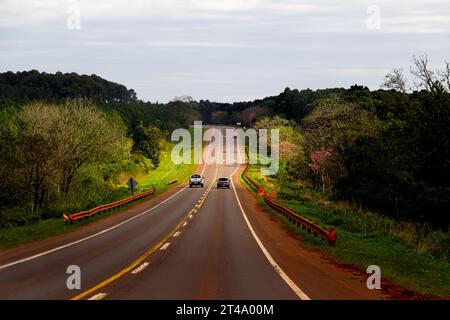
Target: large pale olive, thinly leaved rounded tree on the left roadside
[{"x": 56, "y": 140}]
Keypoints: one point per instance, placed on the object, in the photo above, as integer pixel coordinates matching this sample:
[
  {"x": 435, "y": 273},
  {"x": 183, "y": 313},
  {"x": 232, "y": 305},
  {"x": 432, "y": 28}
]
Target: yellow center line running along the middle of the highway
[{"x": 149, "y": 252}]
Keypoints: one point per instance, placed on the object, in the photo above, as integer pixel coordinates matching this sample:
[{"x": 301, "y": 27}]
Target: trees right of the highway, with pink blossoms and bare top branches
[{"x": 386, "y": 150}]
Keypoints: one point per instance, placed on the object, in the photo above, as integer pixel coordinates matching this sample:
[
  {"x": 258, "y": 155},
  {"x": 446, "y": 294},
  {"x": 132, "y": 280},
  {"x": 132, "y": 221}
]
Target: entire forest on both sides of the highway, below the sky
[{"x": 386, "y": 150}]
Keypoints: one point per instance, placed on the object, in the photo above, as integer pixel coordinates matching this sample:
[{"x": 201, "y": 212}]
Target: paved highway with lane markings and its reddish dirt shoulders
[{"x": 188, "y": 243}]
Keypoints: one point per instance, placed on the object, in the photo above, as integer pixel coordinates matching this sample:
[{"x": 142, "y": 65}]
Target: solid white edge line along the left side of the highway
[{"x": 91, "y": 236}]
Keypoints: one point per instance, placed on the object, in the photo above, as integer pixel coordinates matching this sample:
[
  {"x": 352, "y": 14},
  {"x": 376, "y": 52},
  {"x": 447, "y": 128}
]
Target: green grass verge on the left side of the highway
[{"x": 158, "y": 178}]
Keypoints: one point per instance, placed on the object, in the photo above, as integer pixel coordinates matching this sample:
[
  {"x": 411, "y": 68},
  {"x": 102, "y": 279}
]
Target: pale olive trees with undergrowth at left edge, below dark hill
[{"x": 48, "y": 149}]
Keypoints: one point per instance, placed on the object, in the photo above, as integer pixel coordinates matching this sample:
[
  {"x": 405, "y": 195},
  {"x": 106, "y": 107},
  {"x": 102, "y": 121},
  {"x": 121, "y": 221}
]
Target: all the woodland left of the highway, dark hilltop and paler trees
[{"x": 69, "y": 141}]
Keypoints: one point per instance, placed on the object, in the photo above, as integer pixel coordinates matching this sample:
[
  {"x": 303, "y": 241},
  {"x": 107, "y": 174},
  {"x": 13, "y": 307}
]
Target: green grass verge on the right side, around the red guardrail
[{"x": 417, "y": 262}]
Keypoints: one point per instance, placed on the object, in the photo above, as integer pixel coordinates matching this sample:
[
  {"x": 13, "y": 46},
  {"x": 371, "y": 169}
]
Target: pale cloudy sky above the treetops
[{"x": 223, "y": 50}]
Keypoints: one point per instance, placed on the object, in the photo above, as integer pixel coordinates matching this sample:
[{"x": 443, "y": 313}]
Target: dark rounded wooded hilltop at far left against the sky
[{"x": 17, "y": 88}]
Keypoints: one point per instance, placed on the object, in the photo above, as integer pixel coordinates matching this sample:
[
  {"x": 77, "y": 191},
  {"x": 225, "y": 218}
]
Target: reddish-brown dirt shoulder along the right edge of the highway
[{"x": 314, "y": 272}]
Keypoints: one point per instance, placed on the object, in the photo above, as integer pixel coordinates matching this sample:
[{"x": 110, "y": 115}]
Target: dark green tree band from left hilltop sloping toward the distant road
[{"x": 21, "y": 88}]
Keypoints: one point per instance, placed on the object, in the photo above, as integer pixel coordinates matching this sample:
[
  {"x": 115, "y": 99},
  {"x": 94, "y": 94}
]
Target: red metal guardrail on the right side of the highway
[{"x": 311, "y": 226}]
